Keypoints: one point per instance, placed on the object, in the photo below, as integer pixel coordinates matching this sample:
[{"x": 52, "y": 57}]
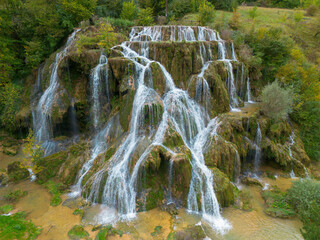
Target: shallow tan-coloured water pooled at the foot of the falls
[{"x": 57, "y": 221}]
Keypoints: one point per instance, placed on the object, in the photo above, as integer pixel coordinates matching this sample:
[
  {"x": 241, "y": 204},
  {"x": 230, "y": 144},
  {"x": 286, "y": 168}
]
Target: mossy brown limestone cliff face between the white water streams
[{"x": 167, "y": 167}]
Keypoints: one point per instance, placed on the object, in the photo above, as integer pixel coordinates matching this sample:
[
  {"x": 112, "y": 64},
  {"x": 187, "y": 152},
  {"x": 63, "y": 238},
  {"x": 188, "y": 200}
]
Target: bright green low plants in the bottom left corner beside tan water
[{"x": 16, "y": 227}]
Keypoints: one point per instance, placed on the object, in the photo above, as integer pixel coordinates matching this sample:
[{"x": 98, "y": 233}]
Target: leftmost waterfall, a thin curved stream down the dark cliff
[{"x": 42, "y": 113}]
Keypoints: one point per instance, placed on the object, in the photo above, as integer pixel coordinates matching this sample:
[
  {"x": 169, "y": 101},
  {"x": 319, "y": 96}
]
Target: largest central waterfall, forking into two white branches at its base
[{"x": 117, "y": 188}]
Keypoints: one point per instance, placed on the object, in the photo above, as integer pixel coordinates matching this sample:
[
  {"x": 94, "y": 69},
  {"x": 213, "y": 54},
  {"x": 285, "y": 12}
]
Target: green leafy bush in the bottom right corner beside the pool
[{"x": 304, "y": 195}]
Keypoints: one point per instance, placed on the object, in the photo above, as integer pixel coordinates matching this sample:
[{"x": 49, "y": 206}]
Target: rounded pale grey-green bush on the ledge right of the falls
[{"x": 277, "y": 102}]
